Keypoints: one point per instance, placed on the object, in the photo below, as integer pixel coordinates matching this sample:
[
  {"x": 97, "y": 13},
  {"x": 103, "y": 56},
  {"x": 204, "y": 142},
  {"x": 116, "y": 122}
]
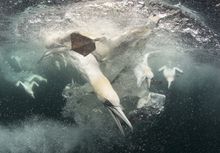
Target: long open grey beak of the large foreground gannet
[{"x": 117, "y": 114}]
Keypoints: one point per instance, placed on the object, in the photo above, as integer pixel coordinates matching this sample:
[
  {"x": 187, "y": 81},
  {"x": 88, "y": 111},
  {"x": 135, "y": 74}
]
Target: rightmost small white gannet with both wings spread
[{"x": 170, "y": 73}]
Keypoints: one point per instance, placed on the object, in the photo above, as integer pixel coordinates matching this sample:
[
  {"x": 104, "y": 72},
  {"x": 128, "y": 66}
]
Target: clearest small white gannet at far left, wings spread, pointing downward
[{"x": 28, "y": 87}]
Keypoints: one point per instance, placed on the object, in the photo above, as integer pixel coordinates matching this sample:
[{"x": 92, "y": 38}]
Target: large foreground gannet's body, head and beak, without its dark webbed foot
[{"x": 89, "y": 67}]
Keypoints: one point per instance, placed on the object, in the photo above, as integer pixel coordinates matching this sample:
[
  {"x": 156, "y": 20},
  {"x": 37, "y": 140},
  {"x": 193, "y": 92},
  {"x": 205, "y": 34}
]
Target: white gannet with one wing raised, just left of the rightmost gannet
[{"x": 143, "y": 70}]
